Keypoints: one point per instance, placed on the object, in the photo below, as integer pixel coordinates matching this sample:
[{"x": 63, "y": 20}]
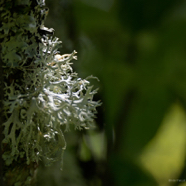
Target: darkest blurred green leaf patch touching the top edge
[{"x": 140, "y": 14}]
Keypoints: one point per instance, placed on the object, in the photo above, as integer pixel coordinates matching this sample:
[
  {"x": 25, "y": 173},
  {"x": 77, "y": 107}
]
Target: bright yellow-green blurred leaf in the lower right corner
[{"x": 164, "y": 156}]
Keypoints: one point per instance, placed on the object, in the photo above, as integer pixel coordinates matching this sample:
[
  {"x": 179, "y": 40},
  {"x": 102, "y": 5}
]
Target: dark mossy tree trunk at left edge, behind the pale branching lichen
[{"x": 20, "y": 36}]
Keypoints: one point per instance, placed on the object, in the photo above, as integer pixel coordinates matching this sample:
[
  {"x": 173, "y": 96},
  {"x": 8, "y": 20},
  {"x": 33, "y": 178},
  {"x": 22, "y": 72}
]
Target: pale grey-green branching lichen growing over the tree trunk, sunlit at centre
[{"x": 41, "y": 91}]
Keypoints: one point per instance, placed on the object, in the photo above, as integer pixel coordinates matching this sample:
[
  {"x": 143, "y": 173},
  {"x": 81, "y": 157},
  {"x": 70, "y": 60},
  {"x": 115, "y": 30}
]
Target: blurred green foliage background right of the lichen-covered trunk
[{"x": 137, "y": 49}]
